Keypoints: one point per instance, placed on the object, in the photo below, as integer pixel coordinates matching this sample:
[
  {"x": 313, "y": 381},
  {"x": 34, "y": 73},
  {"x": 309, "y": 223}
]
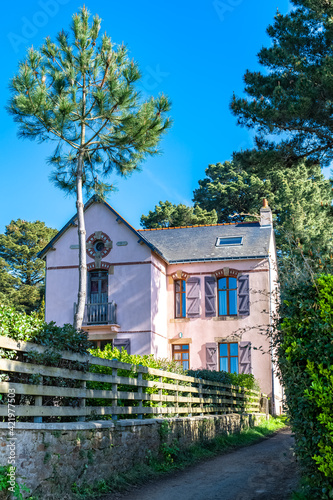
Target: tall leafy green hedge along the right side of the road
[{"x": 305, "y": 349}]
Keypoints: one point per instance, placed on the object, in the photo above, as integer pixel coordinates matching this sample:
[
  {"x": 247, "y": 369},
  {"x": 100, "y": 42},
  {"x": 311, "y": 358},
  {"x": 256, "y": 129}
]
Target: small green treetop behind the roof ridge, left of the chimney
[{"x": 167, "y": 214}]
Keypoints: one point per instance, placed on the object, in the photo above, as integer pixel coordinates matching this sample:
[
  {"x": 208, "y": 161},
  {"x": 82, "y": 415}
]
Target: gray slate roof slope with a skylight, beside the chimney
[{"x": 197, "y": 243}]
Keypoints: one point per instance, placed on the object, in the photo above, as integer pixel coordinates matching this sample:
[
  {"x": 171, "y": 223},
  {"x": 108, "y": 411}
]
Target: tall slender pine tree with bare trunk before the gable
[{"x": 80, "y": 92}]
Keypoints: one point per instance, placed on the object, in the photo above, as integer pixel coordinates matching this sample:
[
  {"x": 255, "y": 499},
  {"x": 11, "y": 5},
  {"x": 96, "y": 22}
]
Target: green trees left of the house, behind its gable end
[{"x": 22, "y": 273}]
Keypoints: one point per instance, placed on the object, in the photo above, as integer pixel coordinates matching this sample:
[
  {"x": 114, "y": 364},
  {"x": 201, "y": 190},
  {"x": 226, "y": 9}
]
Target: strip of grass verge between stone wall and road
[{"x": 172, "y": 460}]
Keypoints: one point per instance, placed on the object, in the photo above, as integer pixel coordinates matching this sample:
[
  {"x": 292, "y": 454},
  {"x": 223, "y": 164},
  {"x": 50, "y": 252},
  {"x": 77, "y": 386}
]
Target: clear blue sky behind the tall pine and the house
[{"x": 195, "y": 52}]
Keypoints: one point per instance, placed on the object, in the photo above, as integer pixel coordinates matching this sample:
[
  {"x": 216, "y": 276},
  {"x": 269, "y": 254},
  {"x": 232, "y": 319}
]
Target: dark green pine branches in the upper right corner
[{"x": 292, "y": 99}]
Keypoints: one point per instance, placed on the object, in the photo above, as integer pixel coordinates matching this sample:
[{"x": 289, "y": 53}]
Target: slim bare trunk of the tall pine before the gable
[{"x": 82, "y": 293}]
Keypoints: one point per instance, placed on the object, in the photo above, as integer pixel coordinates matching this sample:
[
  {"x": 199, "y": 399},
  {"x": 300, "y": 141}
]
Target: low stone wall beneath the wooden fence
[{"x": 51, "y": 457}]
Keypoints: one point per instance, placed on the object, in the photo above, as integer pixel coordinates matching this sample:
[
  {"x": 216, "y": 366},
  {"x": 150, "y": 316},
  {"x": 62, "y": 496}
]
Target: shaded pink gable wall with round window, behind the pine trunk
[{"x": 130, "y": 284}]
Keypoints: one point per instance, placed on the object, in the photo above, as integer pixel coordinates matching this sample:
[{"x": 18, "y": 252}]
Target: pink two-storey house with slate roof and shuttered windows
[{"x": 202, "y": 295}]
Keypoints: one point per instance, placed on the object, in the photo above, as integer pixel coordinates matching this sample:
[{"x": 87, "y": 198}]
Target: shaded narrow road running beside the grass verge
[{"x": 264, "y": 471}]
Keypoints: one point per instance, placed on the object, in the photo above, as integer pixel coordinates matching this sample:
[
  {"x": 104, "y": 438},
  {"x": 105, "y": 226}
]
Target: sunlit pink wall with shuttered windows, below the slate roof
[{"x": 202, "y": 330}]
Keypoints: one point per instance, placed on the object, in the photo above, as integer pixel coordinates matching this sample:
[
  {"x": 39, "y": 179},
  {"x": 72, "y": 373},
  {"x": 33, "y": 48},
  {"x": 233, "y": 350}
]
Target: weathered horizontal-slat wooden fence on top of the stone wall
[{"x": 129, "y": 391}]
